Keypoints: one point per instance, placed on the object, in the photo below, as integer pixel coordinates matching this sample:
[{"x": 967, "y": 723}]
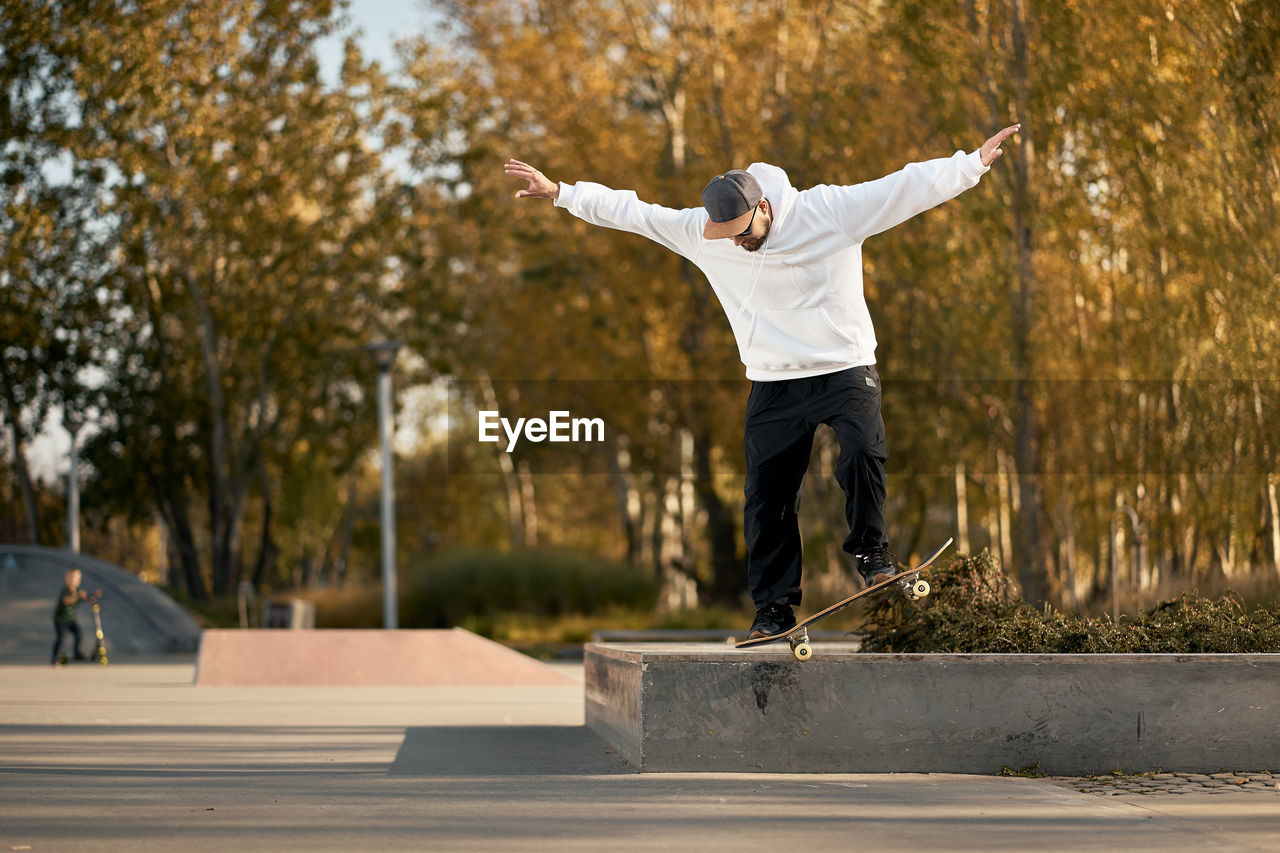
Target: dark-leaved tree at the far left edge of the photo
[{"x": 52, "y": 235}]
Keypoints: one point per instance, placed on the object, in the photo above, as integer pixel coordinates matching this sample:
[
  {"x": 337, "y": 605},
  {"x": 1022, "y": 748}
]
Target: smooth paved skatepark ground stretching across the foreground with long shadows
[{"x": 136, "y": 759}]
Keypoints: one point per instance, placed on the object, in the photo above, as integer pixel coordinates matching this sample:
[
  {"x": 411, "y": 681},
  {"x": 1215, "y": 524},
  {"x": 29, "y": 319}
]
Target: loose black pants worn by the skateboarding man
[{"x": 781, "y": 421}]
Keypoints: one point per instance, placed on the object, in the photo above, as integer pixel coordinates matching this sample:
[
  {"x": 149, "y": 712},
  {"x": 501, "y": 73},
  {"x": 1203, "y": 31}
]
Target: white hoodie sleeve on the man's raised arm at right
[{"x": 866, "y": 209}]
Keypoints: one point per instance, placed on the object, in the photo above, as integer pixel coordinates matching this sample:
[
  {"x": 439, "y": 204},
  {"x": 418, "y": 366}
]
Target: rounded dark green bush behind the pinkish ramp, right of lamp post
[{"x": 477, "y": 589}]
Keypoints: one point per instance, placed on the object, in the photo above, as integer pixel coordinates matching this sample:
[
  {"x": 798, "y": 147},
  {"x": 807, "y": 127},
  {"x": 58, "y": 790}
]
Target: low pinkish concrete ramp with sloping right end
[{"x": 365, "y": 659}]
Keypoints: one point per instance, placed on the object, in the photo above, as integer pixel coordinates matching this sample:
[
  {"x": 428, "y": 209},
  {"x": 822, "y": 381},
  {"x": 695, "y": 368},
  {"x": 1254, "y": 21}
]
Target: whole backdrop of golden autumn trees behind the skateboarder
[{"x": 202, "y": 234}]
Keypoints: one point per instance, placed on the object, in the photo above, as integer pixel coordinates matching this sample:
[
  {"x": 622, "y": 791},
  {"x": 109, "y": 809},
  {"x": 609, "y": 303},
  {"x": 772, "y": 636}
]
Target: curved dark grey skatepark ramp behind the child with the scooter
[{"x": 138, "y": 618}]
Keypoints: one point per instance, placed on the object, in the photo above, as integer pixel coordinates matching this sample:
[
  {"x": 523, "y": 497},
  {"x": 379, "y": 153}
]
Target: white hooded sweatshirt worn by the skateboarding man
[{"x": 797, "y": 305}]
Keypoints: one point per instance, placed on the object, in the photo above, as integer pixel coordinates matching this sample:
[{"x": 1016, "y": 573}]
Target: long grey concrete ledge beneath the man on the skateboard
[{"x": 710, "y": 709}]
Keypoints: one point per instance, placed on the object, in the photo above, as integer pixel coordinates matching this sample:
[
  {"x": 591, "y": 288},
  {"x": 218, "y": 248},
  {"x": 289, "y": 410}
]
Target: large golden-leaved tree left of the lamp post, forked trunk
[{"x": 253, "y": 215}]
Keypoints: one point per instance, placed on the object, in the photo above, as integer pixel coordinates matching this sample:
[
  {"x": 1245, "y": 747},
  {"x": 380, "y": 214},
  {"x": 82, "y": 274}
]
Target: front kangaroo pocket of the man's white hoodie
[{"x": 798, "y": 340}]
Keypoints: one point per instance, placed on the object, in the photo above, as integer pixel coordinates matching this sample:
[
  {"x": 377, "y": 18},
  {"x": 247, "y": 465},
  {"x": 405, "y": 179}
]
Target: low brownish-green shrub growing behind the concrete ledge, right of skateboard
[{"x": 973, "y": 608}]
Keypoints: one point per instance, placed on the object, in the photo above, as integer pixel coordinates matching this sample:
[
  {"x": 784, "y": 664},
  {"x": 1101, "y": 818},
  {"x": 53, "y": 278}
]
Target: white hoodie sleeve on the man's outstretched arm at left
[{"x": 680, "y": 231}]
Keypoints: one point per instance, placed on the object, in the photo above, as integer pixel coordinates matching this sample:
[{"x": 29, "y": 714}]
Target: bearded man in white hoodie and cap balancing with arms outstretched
[{"x": 787, "y": 266}]
